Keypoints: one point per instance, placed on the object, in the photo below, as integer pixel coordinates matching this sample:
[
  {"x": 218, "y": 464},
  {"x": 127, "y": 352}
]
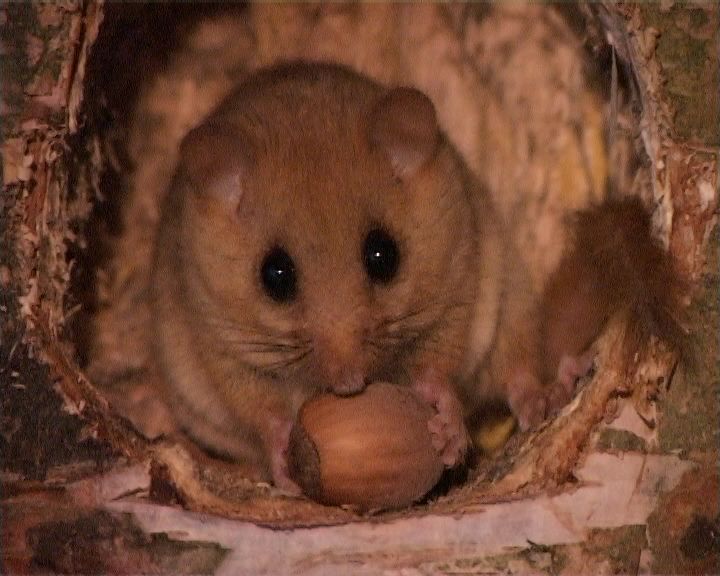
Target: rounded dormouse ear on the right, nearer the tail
[{"x": 404, "y": 126}]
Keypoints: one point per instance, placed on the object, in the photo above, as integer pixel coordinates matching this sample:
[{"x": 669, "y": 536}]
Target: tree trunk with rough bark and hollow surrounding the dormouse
[{"x": 624, "y": 480}]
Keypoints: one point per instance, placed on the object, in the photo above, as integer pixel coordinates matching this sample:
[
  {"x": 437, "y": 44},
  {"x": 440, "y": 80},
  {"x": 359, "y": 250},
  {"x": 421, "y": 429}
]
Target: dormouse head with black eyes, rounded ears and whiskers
[{"x": 328, "y": 230}]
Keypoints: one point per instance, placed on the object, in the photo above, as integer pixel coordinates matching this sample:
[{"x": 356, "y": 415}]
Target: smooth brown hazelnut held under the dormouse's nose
[{"x": 372, "y": 450}]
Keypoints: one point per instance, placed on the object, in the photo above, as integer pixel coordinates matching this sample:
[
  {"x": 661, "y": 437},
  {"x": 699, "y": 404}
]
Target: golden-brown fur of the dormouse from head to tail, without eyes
[{"x": 310, "y": 158}]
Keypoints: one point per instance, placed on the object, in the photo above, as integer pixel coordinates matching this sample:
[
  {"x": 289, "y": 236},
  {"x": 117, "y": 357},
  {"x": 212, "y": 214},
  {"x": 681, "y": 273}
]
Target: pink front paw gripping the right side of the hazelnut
[{"x": 447, "y": 428}]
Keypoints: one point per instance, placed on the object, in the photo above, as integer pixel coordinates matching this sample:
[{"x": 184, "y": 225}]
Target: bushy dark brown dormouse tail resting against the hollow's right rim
[{"x": 614, "y": 265}]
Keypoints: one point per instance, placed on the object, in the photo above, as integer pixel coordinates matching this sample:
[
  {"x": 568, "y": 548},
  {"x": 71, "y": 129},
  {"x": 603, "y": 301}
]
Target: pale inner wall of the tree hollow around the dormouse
[{"x": 532, "y": 96}]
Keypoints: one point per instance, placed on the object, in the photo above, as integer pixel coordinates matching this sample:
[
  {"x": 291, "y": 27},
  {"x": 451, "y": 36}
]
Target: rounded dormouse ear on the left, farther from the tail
[{"x": 216, "y": 157}]
